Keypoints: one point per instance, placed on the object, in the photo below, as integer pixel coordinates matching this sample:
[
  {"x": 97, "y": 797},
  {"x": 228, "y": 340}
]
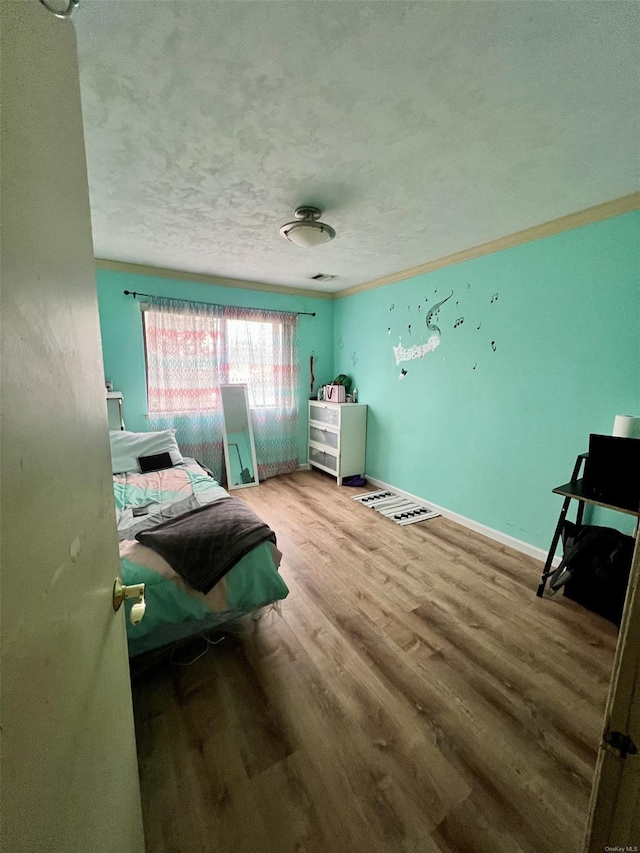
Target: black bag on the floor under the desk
[{"x": 595, "y": 568}]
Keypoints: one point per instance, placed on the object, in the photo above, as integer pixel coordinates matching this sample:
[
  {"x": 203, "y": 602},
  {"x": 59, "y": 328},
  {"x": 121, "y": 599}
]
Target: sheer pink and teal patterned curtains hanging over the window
[{"x": 193, "y": 348}]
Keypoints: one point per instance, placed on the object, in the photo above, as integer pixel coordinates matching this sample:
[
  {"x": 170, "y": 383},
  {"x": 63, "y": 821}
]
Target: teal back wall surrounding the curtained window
[{"x": 123, "y": 348}]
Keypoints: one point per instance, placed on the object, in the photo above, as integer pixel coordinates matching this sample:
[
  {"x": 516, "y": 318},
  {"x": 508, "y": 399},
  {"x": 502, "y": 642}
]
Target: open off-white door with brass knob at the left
[{"x": 69, "y": 773}]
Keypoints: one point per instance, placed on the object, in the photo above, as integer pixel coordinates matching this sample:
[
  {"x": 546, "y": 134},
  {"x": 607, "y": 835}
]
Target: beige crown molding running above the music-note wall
[{"x": 608, "y": 209}]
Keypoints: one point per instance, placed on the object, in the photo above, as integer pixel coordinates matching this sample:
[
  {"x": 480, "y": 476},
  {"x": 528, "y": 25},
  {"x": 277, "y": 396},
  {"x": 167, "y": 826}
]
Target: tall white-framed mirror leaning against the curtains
[{"x": 239, "y": 449}]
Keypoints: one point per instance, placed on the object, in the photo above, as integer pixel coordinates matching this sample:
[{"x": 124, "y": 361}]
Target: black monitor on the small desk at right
[{"x": 612, "y": 471}]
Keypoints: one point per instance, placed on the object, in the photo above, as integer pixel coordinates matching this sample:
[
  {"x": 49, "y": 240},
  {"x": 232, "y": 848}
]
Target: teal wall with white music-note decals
[{"x": 491, "y": 443}]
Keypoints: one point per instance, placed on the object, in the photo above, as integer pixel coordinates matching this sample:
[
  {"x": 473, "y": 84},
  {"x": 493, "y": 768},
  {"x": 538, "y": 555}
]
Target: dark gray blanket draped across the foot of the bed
[{"x": 203, "y": 545}]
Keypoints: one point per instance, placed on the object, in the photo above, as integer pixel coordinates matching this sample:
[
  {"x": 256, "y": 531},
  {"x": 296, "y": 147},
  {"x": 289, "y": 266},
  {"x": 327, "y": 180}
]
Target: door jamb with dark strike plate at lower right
[{"x": 614, "y": 819}]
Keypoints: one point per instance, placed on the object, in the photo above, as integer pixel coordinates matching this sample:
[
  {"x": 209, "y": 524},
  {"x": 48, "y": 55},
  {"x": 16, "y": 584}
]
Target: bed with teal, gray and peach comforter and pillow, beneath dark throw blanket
[{"x": 168, "y": 498}]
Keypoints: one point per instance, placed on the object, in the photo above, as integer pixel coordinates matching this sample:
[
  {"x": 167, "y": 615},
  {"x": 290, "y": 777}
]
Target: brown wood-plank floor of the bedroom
[{"x": 415, "y": 695}]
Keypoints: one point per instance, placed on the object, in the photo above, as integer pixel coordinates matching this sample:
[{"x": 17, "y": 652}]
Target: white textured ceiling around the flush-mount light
[{"x": 420, "y": 129}]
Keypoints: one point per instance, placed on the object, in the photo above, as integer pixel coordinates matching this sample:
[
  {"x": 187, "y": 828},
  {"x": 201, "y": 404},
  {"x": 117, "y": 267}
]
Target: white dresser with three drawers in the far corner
[{"x": 337, "y": 437}]
